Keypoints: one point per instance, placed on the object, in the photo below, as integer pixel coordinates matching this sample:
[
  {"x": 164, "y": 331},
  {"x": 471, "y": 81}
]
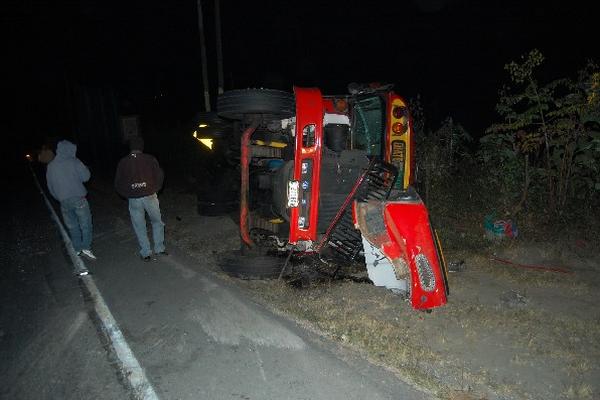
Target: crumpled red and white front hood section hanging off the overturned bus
[{"x": 401, "y": 231}]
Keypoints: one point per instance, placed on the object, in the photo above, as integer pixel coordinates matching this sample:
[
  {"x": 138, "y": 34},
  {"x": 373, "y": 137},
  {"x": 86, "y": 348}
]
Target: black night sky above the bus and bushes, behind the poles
[{"x": 451, "y": 52}]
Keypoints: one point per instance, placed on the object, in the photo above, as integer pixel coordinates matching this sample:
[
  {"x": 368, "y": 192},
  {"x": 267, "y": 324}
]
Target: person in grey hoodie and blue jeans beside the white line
[{"x": 65, "y": 176}]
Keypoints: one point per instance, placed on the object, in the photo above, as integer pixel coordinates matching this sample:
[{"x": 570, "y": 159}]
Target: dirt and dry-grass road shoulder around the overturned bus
[{"x": 508, "y": 332}]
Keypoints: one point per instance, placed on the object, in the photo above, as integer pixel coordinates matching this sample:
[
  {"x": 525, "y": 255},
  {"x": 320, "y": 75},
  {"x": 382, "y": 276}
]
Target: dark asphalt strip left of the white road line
[{"x": 49, "y": 348}]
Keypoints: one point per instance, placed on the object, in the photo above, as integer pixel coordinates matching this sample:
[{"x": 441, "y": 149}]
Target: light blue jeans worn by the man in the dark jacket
[{"x": 137, "y": 210}]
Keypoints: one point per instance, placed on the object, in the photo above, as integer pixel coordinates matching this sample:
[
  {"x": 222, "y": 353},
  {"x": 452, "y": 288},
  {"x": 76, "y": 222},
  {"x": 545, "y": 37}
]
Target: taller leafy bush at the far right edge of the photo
[{"x": 545, "y": 152}]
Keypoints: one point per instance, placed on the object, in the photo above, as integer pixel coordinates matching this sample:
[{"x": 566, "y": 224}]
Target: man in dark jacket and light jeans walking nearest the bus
[{"x": 138, "y": 179}]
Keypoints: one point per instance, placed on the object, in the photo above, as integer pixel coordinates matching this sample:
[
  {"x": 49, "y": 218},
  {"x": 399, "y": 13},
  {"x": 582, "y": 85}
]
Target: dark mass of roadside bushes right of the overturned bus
[{"x": 538, "y": 165}]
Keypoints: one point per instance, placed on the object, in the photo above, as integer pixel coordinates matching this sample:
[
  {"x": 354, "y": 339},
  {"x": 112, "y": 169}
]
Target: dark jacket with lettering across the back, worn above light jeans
[{"x": 138, "y": 175}]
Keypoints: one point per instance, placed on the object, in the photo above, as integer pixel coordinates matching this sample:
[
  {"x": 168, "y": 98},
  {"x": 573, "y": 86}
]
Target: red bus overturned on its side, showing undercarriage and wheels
[{"x": 333, "y": 175}]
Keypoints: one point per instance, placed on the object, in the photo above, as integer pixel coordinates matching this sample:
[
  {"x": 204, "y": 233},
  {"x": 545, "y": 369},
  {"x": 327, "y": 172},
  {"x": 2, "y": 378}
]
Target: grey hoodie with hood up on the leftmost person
[{"x": 66, "y": 173}]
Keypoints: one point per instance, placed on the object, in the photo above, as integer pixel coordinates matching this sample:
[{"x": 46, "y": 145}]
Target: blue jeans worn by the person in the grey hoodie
[{"x": 78, "y": 219}]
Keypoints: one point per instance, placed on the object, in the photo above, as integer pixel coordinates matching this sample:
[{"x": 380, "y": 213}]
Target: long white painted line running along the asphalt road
[{"x": 130, "y": 367}]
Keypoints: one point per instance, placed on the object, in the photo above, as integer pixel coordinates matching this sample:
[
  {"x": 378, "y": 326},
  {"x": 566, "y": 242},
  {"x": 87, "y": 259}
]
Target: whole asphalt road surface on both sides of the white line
[{"x": 195, "y": 335}]
